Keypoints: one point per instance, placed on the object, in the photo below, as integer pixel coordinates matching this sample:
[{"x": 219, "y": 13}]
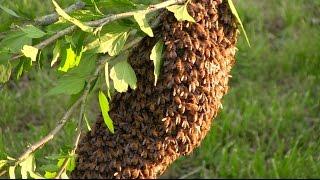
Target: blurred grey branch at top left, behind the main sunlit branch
[{"x": 54, "y": 17}]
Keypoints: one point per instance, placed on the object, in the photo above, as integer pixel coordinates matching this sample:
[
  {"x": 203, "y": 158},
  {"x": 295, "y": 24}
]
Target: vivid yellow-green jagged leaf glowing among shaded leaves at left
[{"x": 72, "y": 60}]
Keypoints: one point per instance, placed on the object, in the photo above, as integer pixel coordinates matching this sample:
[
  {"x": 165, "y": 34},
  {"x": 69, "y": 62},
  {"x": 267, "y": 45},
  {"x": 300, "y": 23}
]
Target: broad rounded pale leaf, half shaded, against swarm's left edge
[{"x": 123, "y": 76}]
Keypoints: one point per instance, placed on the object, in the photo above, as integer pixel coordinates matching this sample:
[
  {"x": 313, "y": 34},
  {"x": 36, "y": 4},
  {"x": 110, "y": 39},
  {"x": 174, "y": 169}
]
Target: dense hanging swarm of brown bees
[{"x": 154, "y": 125}]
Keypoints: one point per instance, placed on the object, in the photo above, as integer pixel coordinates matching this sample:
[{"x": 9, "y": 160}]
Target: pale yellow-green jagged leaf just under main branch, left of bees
[{"x": 114, "y": 44}]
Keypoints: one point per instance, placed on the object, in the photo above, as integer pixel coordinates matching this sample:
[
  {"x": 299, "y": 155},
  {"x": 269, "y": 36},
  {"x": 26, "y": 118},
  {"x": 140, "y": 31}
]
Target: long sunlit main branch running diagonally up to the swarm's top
[{"x": 103, "y": 21}]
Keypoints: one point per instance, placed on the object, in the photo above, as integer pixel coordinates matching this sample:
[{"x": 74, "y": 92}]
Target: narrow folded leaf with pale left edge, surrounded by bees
[{"x": 156, "y": 57}]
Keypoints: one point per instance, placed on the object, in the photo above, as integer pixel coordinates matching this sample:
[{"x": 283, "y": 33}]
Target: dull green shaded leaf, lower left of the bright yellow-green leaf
[{"x": 68, "y": 85}]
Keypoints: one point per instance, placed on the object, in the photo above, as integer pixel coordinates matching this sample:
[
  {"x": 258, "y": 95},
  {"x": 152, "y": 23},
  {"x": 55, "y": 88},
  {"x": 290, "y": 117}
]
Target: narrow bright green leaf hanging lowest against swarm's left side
[{"x": 104, "y": 105}]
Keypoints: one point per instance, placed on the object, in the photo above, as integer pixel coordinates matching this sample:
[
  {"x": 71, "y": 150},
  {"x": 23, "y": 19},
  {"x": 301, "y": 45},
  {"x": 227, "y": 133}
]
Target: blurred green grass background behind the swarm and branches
[{"x": 269, "y": 126}]
